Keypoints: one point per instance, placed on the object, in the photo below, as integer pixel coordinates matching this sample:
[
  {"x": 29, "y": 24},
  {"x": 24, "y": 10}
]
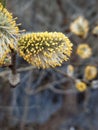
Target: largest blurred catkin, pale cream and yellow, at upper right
[{"x": 80, "y": 27}]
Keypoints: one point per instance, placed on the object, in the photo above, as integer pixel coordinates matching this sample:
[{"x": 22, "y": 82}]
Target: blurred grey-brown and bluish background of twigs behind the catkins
[{"x": 47, "y": 99}]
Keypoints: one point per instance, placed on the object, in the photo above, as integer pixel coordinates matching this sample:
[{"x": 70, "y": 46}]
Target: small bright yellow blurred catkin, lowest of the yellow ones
[{"x": 80, "y": 86}]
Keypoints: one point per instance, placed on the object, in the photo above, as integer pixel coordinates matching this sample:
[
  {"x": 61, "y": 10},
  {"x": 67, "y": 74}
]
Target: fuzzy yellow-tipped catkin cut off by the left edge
[{"x": 8, "y": 31}]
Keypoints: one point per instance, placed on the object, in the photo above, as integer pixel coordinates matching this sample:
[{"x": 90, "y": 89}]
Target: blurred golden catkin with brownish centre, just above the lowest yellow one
[{"x": 90, "y": 72}]
